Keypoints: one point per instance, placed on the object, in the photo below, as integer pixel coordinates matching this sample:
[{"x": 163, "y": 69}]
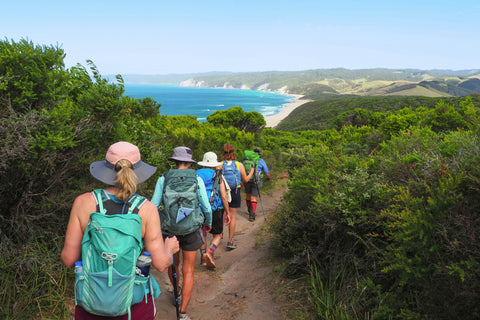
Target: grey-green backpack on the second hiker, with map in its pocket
[{"x": 181, "y": 213}]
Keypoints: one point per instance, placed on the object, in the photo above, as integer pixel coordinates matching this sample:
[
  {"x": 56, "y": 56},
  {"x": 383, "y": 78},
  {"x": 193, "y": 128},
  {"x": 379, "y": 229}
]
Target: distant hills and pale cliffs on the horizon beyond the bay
[{"x": 337, "y": 82}]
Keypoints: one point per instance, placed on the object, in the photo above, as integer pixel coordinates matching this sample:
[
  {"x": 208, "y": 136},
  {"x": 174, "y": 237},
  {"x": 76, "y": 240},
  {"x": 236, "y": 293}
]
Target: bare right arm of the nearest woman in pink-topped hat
[{"x": 161, "y": 251}]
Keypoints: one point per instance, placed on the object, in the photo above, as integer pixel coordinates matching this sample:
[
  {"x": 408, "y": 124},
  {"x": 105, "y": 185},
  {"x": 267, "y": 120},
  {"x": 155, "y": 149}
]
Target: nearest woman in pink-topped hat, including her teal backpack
[{"x": 122, "y": 170}]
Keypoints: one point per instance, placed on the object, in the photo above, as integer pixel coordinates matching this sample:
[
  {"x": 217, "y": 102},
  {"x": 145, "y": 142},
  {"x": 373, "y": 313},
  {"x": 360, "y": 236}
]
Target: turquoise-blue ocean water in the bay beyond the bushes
[{"x": 201, "y": 102}]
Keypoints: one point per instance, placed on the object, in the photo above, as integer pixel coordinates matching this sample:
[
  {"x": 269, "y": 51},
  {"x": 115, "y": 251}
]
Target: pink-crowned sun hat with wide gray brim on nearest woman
[{"x": 105, "y": 172}]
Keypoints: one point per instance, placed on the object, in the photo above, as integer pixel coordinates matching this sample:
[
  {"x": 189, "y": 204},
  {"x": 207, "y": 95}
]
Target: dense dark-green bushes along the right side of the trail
[{"x": 402, "y": 221}]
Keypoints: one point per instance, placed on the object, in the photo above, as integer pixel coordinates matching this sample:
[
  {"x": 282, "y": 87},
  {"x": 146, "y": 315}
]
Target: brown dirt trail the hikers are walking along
[{"x": 240, "y": 287}]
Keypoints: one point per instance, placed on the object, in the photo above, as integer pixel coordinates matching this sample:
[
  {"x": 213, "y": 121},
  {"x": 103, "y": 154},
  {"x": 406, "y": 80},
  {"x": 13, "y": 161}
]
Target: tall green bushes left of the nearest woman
[{"x": 53, "y": 124}]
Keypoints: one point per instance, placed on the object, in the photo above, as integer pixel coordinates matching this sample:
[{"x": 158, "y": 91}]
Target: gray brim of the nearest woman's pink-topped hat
[{"x": 105, "y": 172}]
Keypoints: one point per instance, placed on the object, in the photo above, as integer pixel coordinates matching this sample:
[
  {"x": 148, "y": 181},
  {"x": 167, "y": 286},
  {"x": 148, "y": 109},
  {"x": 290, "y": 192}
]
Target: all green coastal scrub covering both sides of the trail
[{"x": 380, "y": 217}]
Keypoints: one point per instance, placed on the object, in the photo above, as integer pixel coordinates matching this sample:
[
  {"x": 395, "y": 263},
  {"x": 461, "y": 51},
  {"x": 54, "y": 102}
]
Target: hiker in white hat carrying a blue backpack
[{"x": 216, "y": 189}]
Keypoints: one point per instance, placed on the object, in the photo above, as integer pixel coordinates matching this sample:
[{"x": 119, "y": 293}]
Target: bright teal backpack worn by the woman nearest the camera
[{"x": 108, "y": 284}]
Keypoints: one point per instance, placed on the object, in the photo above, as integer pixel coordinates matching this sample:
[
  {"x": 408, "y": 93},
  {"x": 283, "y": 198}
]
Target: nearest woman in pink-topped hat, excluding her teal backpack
[{"x": 122, "y": 170}]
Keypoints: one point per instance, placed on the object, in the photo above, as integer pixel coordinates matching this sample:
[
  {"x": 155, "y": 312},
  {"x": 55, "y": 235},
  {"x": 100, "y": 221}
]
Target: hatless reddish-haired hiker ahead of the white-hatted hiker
[{"x": 234, "y": 173}]
